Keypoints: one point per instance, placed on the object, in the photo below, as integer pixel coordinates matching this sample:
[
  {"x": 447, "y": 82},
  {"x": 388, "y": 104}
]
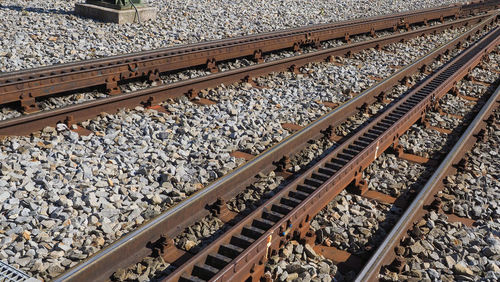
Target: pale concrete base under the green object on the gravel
[{"x": 114, "y": 16}]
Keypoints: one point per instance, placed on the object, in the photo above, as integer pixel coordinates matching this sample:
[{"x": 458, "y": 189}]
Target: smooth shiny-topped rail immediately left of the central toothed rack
[{"x": 132, "y": 247}]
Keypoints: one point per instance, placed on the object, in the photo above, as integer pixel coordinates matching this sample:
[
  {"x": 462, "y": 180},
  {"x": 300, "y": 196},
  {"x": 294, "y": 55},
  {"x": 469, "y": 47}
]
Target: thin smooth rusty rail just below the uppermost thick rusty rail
[{"x": 26, "y": 124}]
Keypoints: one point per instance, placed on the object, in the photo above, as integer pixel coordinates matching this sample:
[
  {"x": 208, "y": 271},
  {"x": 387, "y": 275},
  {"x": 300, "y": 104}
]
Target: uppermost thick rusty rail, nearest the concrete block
[{"x": 27, "y": 85}]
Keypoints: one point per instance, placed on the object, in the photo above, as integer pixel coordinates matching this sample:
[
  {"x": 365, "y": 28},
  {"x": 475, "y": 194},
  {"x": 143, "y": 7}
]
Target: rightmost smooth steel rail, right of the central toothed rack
[{"x": 385, "y": 252}]
